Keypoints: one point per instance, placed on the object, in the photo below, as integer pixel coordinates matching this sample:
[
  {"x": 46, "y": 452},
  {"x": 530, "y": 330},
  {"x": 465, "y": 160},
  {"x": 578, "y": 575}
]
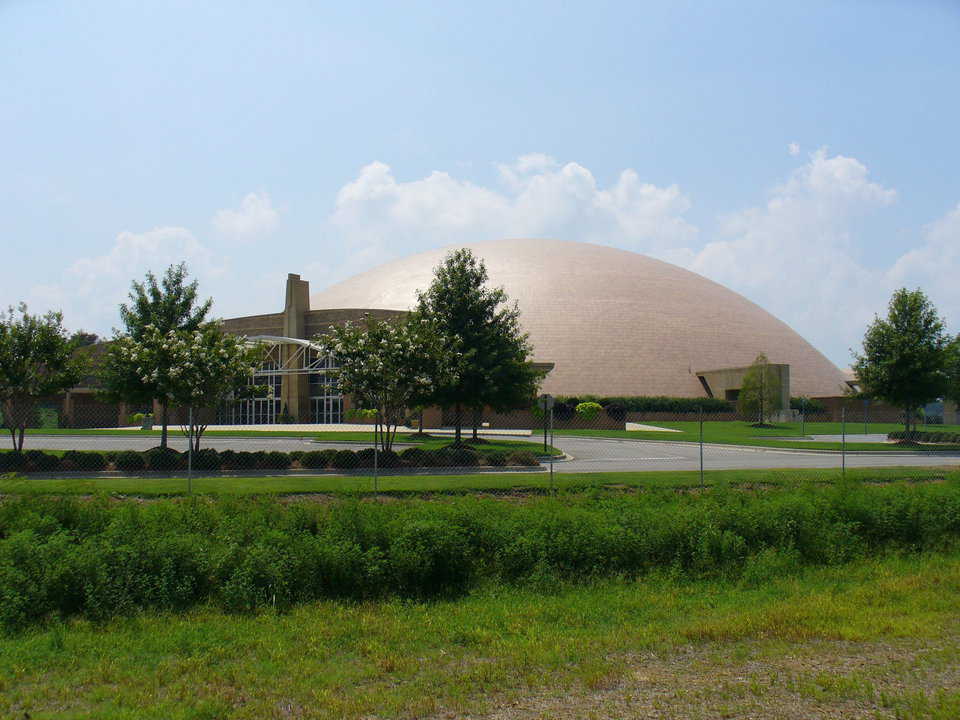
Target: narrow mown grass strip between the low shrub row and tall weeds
[{"x": 510, "y": 483}]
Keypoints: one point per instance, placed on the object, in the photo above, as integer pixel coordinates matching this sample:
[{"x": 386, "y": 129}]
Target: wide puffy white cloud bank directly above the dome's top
[{"x": 380, "y": 217}]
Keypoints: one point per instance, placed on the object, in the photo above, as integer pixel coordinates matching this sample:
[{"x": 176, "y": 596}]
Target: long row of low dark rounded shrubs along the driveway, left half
[{"x": 208, "y": 459}]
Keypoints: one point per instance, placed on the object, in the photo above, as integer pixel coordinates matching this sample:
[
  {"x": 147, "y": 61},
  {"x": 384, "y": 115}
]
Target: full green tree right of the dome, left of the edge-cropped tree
[{"x": 905, "y": 355}]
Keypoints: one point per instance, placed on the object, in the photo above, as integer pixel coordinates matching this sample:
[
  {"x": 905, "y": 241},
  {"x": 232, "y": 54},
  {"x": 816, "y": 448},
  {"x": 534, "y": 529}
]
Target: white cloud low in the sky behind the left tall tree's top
[{"x": 91, "y": 289}]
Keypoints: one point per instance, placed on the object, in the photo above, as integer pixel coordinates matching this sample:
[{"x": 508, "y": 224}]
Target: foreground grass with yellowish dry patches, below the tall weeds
[{"x": 874, "y": 638}]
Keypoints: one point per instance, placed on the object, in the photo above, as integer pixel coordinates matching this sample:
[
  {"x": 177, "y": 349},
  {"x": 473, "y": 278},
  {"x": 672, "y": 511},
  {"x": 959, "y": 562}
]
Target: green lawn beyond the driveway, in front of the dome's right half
[{"x": 742, "y": 433}]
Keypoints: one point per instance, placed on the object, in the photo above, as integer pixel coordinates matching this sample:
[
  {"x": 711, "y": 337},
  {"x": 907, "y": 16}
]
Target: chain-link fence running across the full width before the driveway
[{"x": 502, "y": 454}]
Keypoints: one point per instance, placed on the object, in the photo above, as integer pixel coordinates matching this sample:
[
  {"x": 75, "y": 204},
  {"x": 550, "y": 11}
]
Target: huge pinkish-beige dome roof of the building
[{"x": 613, "y": 322}]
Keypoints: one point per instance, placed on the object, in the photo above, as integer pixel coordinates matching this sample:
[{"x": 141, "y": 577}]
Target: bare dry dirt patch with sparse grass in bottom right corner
[{"x": 756, "y": 681}]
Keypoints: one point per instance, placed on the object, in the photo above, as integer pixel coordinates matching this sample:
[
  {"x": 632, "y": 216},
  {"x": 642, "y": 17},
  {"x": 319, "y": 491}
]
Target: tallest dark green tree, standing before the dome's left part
[{"x": 482, "y": 328}]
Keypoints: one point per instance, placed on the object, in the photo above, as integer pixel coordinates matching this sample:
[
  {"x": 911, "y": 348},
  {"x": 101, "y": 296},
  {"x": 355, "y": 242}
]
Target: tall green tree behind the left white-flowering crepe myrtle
[{"x": 157, "y": 311}]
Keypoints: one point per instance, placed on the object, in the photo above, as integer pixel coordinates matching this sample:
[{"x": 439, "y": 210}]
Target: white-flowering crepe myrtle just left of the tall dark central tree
[{"x": 388, "y": 366}]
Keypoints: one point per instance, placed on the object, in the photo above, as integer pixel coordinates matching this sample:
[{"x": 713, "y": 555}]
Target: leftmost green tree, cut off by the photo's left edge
[{"x": 36, "y": 359}]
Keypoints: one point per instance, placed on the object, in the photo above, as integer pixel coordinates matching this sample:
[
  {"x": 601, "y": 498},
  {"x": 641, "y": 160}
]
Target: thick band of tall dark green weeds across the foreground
[{"x": 97, "y": 559}]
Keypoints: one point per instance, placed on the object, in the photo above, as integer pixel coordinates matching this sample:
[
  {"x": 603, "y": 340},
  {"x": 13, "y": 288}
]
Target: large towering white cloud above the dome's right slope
[{"x": 799, "y": 256}]
